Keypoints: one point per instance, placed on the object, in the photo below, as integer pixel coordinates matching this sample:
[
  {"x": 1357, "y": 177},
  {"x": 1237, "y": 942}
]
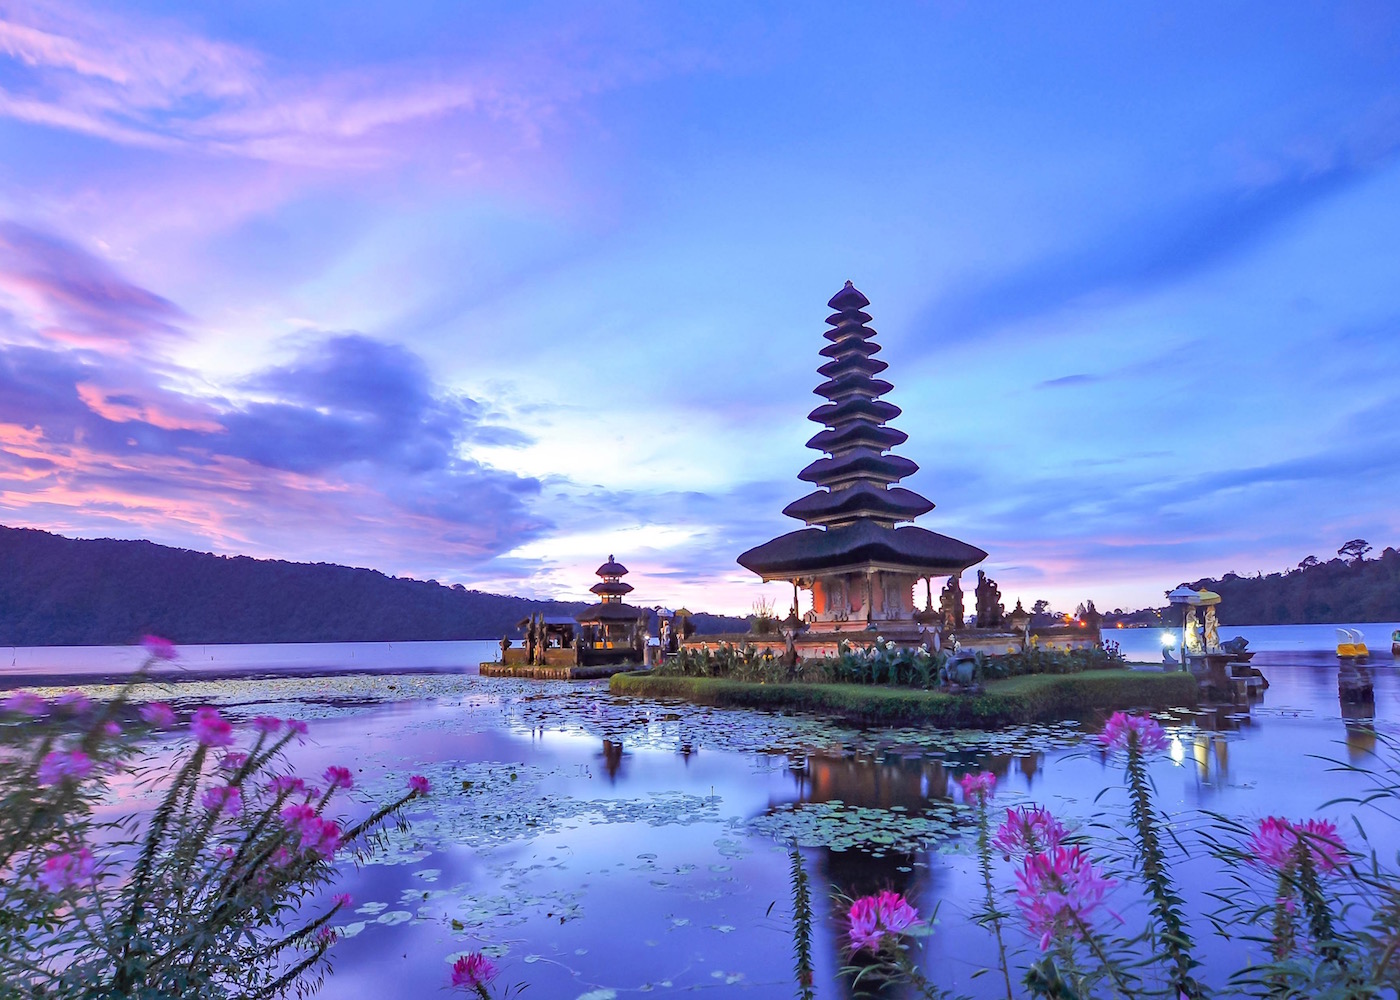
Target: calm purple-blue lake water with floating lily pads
[{"x": 610, "y": 848}]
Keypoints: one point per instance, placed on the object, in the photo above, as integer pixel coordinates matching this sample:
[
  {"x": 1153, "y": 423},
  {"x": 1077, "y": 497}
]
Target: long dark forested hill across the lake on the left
[{"x": 65, "y": 592}]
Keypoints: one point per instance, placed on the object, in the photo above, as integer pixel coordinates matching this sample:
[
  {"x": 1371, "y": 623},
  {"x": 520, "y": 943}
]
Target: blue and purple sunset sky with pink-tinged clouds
[{"x": 486, "y": 292}]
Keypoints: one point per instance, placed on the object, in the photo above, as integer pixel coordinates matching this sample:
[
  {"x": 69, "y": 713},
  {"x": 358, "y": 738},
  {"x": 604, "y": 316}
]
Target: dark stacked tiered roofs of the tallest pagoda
[{"x": 856, "y": 512}]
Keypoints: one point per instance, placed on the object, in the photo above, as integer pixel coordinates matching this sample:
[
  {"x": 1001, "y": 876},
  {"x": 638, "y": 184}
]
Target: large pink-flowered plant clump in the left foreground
[{"x": 211, "y": 894}]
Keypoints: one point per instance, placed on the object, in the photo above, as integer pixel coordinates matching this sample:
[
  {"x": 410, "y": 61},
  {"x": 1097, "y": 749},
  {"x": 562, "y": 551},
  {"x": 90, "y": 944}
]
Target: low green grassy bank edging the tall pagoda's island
[{"x": 1007, "y": 702}]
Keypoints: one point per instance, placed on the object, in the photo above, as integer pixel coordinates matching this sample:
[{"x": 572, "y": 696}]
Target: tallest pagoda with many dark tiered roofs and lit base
[{"x": 855, "y": 558}]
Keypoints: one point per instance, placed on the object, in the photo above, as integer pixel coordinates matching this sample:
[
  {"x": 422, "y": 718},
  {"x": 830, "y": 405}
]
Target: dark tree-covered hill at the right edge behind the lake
[{"x": 1339, "y": 590}]
